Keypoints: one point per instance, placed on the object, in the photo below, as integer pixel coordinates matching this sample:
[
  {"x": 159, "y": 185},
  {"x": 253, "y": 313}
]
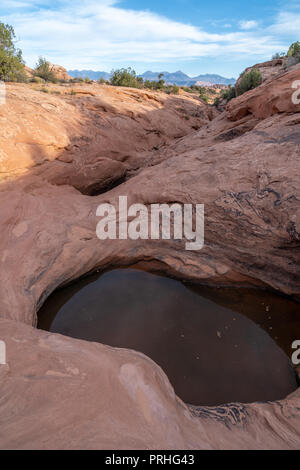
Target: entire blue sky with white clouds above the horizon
[{"x": 194, "y": 36}]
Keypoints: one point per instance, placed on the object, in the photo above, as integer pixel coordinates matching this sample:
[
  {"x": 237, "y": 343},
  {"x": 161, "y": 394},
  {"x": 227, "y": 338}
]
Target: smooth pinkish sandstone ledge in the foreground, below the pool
[{"x": 62, "y": 393}]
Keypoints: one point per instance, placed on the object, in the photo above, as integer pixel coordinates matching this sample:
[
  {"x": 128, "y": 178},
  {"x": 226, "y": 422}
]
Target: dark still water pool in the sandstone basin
[{"x": 216, "y": 345}]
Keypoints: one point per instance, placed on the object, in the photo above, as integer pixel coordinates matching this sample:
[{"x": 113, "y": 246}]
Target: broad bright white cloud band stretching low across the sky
[{"x": 93, "y": 34}]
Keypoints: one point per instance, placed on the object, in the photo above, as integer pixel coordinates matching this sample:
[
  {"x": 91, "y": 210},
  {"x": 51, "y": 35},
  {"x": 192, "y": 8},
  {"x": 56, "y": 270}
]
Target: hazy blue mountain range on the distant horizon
[{"x": 177, "y": 78}]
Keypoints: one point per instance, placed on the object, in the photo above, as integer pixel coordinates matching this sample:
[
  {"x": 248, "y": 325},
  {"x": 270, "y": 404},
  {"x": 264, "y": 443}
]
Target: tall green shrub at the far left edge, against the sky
[{"x": 11, "y": 62}]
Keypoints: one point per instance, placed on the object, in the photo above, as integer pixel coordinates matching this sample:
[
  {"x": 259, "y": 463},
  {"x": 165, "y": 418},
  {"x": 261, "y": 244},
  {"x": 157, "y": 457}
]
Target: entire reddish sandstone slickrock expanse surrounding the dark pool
[{"x": 60, "y": 157}]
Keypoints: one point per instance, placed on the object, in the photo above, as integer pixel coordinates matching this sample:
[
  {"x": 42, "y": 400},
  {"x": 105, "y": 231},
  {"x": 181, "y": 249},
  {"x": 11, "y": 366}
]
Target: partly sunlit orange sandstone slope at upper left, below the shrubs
[{"x": 89, "y": 125}]
